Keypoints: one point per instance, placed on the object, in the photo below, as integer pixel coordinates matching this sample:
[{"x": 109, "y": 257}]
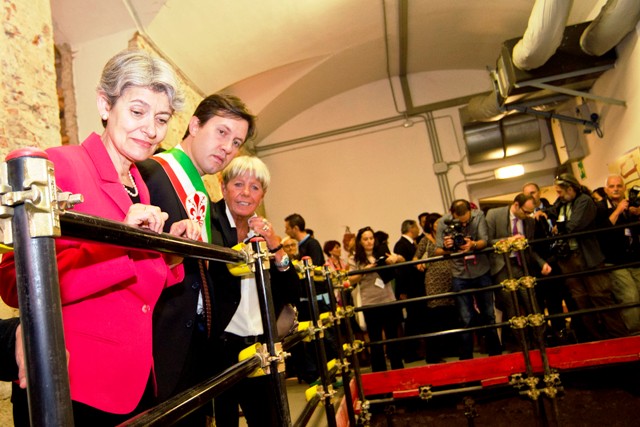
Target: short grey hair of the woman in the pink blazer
[{"x": 139, "y": 68}]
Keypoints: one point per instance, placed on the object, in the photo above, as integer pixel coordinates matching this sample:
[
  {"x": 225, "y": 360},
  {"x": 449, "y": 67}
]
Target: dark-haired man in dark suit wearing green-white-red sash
[{"x": 182, "y": 317}]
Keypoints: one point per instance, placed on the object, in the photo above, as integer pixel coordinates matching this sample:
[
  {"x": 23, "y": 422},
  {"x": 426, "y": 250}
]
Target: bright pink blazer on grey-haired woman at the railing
[{"x": 108, "y": 293}]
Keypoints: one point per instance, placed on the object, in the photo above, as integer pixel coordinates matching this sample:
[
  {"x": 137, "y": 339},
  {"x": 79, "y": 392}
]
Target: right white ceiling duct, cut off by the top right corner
[{"x": 616, "y": 19}]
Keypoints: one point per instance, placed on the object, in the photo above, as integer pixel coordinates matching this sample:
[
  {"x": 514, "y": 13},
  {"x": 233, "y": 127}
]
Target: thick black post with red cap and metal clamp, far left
[{"x": 31, "y": 192}]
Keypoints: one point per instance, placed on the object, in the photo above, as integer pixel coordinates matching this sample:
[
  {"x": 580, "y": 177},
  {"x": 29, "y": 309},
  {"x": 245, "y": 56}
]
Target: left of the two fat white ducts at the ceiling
[{"x": 543, "y": 34}]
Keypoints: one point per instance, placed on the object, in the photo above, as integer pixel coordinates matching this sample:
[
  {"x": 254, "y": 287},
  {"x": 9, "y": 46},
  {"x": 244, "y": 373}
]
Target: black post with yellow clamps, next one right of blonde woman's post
[{"x": 321, "y": 356}]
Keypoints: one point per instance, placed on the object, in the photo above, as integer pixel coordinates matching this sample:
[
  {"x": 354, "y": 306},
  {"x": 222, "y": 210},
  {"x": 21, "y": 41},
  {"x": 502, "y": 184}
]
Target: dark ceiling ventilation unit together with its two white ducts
[{"x": 552, "y": 58}]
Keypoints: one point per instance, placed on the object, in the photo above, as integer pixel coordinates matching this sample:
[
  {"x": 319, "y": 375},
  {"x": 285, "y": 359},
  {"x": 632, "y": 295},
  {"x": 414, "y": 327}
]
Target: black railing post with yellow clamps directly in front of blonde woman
[{"x": 274, "y": 350}]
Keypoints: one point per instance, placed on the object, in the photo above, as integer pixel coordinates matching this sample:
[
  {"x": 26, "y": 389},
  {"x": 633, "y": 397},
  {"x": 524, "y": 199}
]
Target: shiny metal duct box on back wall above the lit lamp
[{"x": 513, "y": 135}]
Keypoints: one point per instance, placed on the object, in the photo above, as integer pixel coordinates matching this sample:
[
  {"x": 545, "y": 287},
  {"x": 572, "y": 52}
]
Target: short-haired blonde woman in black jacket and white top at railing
[{"x": 238, "y": 322}]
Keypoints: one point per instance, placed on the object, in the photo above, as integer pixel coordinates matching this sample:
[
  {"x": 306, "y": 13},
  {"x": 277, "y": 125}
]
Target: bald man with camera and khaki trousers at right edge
[{"x": 620, "y": 245}]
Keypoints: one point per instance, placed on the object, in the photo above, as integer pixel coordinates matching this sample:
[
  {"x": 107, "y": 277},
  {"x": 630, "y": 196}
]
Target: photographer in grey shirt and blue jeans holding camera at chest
[{"x": 465, "y": 230}]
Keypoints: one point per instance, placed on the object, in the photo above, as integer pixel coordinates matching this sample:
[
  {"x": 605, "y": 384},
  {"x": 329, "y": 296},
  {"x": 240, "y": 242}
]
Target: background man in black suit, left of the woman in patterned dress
[{"x": 410, "y": 284}]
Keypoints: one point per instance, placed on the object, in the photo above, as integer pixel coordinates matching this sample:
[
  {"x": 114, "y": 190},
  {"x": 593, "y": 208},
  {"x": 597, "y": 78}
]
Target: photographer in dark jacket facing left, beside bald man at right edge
[{"x": 576, "y": 211}]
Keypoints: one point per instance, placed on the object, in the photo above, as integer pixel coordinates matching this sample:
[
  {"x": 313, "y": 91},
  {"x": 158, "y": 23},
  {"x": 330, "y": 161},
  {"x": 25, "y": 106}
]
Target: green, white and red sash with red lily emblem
[{"x": 189, "y": 187}]
